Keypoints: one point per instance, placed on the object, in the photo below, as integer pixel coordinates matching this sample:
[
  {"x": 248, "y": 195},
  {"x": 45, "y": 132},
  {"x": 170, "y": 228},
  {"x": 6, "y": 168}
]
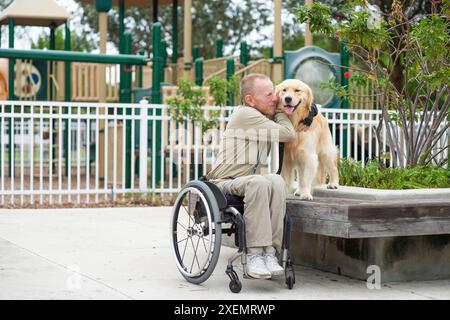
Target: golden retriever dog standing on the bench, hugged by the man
[{"x": 312, "y": 154}]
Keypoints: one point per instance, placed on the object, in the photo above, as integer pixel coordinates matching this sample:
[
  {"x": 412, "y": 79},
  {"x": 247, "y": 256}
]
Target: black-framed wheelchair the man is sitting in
[{"x": 198, "y": 216}]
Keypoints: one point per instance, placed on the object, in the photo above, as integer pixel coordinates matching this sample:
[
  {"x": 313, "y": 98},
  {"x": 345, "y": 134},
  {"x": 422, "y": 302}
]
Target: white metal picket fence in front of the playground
[{"x": 89, "y": 163}]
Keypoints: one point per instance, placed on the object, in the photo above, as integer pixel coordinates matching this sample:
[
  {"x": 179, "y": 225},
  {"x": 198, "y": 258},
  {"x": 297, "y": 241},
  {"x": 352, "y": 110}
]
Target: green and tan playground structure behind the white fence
[{"x": 70, "y": 76}]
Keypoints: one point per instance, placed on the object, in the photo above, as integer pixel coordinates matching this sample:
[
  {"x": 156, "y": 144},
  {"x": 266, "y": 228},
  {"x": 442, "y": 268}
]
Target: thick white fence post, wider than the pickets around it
[{"x": 143, "y": 134}]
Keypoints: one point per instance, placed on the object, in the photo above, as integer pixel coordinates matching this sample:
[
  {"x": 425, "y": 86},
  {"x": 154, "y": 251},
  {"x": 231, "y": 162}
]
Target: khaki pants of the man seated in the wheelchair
[{"x": 264, "y": 207}]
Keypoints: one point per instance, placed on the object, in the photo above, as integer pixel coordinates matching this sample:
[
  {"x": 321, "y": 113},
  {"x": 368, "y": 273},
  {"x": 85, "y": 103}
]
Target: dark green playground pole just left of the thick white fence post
[{"x": 126, "y": 98}]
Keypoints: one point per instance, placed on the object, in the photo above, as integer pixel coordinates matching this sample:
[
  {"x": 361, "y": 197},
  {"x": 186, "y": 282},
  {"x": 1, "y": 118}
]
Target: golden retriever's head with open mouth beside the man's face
[{"x": 294, "y": 96}]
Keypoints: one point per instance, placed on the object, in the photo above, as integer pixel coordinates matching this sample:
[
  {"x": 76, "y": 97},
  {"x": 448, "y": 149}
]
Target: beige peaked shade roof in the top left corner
[{"x": 44, "y": 13}]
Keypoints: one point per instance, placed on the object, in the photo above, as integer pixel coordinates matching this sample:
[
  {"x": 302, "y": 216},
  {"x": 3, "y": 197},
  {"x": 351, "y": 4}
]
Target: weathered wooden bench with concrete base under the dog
[{"x": 407, "y": 238}]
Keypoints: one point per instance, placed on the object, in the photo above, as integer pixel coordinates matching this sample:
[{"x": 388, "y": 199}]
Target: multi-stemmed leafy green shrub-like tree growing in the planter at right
[{"x": 418, "y": 110}]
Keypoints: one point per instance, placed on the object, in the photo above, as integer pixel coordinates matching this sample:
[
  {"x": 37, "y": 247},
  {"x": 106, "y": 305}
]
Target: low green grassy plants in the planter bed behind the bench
[{"x": 352, "y": 174}]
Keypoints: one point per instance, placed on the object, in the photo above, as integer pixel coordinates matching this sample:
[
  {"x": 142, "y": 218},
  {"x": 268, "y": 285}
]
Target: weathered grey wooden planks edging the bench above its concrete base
[{"x": 348, "y": 218}]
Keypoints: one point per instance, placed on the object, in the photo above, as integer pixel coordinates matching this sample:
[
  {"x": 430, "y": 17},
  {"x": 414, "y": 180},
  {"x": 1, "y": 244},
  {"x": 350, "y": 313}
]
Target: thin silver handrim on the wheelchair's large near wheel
[{"x": 211, "y": 239}]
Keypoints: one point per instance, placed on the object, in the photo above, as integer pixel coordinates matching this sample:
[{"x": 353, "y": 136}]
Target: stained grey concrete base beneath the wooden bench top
[{"x": 399, "y": 258}]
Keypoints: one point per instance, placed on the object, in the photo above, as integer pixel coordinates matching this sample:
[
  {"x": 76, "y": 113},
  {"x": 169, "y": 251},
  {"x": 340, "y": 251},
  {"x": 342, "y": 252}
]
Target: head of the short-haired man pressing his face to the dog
[{"x": 263, "y": 97}]
